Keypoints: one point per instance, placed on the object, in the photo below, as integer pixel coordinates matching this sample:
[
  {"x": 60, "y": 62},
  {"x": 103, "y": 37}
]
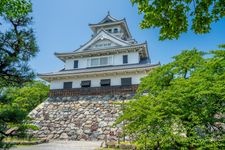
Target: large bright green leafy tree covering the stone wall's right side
[{"x": 184, "y": 104}]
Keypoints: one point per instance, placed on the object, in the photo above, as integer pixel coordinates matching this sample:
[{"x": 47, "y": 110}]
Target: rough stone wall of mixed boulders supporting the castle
[{"x": 79, "y": 117}]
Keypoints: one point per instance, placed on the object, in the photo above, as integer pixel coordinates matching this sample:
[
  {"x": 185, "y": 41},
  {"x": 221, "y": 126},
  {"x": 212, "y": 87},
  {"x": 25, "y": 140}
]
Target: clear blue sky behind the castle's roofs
[{"x": 62, "y": 26}]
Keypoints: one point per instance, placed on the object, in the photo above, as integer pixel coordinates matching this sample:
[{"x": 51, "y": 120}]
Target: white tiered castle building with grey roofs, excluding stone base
[{"x": 110, "y": 62}]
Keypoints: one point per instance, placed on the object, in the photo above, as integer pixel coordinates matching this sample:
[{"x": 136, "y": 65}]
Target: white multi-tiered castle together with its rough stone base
[{"x": 99, "y": 75}]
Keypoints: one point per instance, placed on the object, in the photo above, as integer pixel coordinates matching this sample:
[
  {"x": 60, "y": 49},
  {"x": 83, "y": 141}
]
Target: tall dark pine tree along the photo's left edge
[{"x": 17, "y": 47}]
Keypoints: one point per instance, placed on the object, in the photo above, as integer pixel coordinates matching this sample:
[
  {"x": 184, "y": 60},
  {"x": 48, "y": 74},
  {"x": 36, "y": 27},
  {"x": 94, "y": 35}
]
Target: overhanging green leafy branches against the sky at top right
[{"x": 173, "y": 16}]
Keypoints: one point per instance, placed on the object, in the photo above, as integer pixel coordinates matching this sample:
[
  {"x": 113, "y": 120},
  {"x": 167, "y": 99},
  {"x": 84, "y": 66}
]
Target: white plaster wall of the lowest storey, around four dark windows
[{"x": 95, "y": 81}]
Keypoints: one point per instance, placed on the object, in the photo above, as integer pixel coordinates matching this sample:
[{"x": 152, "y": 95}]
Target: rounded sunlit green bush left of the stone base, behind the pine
[{"x": 18, "y": 101}]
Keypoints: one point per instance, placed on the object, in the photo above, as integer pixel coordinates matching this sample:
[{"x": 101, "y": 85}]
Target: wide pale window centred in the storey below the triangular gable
[{"x": 101, "y": 61}]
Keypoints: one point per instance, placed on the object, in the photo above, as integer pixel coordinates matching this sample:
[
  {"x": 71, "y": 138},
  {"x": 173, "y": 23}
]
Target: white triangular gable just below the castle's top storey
[{"x": 102, "y": 36}]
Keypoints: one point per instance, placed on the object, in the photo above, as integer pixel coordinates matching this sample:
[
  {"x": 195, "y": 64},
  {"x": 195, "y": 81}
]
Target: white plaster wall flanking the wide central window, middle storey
[{"x": 133, "y": 58}]
